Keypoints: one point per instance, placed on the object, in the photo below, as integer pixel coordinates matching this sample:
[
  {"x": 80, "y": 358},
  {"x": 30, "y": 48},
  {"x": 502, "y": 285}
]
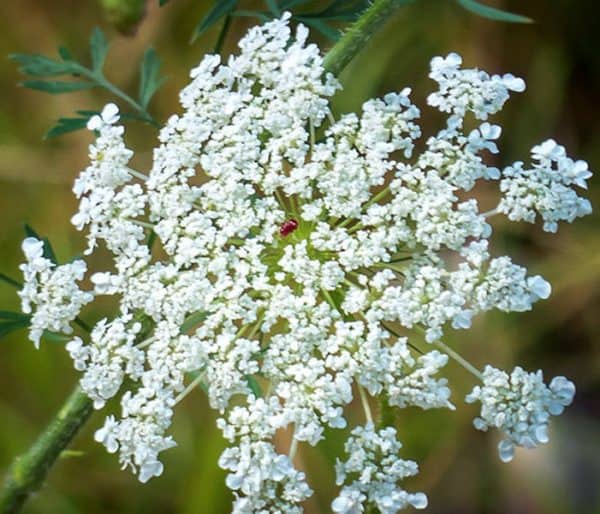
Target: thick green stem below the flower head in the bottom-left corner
[{"x": 29, "y": 470}]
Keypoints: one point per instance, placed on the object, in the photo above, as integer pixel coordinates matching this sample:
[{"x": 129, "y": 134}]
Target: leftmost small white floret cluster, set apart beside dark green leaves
[{"x": 50, "y": 292}]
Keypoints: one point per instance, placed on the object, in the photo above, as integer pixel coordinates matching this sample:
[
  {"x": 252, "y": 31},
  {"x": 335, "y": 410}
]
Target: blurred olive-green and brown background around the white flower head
[{"x": 558, "y": 55}]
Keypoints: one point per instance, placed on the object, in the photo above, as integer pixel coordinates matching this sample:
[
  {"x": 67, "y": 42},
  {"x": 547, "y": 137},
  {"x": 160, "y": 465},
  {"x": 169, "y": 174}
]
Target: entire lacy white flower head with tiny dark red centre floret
[{"x": 299, "y": 262}]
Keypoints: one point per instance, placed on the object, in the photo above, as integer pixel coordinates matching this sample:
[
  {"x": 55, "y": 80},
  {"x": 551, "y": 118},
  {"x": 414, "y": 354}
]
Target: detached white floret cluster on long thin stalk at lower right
[{"x": 520, "y": 405}]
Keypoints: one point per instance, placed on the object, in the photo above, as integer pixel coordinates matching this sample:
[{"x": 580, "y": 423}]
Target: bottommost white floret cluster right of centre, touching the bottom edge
[{"x": 372, "y": 473}]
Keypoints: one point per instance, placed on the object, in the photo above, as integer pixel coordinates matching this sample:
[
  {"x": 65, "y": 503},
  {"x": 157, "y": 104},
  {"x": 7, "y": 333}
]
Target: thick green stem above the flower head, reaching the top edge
[{"x": 359, "y": 33}]
